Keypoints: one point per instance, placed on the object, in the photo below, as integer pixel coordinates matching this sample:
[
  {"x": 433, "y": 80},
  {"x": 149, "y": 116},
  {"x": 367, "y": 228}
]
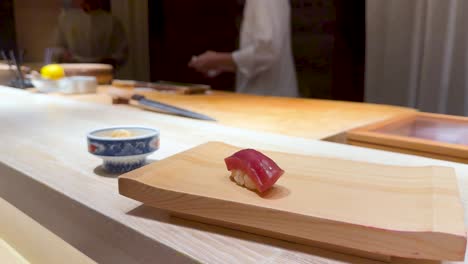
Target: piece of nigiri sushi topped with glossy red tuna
[{"x": 252, "y": 169}]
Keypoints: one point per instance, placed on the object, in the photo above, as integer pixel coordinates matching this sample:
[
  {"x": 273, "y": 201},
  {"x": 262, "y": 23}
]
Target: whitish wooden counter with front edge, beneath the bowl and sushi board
[{"x": 46, "y": 172}]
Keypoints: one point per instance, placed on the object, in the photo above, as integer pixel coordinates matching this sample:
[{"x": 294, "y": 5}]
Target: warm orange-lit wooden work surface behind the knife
[{"x": 307, "y": 118}]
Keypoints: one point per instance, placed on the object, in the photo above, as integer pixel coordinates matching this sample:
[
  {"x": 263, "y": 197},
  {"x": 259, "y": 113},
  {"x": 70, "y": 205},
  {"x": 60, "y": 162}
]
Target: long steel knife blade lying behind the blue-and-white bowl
[{"x": 158, "y": 106}]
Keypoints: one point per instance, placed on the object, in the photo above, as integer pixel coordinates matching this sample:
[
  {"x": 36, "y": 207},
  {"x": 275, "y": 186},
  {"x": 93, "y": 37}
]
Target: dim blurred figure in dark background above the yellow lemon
[{"x": 88, "y": 33}]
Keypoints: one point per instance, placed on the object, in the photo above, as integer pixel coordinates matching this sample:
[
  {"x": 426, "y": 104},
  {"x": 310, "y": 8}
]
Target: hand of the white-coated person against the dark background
[{"x": 213, "y": 63}]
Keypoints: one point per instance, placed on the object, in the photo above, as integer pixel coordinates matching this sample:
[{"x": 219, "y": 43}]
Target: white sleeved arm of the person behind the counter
[{"x": 266, "y": 22}]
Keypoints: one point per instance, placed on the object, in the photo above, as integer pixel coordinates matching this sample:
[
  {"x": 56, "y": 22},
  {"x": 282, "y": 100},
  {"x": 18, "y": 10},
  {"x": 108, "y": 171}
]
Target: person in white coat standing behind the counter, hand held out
[{"x": 264, "y": 62}]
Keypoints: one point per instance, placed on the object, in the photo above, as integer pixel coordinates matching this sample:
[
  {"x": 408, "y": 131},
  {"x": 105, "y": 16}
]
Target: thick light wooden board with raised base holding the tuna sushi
[{"x": 359, "y": 208}]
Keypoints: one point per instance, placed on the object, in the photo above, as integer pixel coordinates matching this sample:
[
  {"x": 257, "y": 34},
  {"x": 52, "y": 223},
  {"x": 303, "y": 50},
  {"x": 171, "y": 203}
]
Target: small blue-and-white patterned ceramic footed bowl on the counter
[{"x": 123, "y": 154}]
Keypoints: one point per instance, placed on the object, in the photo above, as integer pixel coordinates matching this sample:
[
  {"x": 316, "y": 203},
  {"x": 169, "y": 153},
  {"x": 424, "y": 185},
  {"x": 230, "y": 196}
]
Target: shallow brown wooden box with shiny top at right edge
[{"x": 424, "y": 134}]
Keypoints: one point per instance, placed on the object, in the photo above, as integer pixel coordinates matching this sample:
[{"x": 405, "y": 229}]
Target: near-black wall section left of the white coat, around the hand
[{"x": 180, "y": 29}]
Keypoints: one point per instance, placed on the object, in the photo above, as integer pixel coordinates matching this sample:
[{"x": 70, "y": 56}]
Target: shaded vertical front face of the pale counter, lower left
[{"x": 65, "y": 214}]
